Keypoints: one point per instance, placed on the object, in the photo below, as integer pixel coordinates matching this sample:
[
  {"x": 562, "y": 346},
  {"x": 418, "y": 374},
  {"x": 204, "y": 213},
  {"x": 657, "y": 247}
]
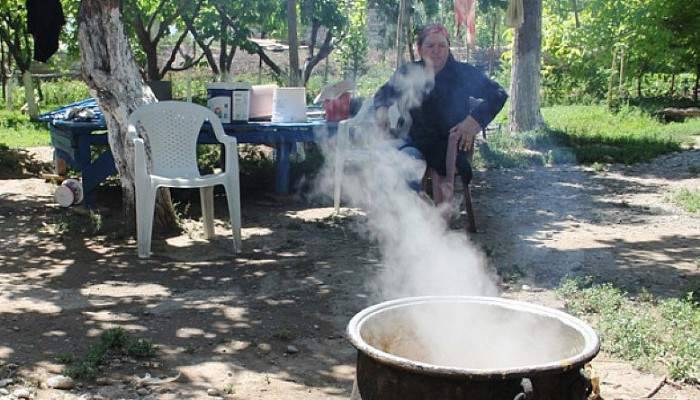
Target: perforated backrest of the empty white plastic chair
[{"x": 170, "y": 130}]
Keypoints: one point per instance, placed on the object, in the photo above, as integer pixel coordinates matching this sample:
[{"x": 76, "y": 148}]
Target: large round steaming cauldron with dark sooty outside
[{"x": 485, "y": 349}]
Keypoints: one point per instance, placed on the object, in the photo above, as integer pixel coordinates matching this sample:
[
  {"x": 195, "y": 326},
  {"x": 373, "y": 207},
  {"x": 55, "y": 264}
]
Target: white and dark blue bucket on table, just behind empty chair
[{"x": 230, "y": 101}]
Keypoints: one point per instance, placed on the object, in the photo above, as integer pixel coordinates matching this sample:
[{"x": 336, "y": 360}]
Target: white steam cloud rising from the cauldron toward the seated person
[{"x": 420, "y": 254}]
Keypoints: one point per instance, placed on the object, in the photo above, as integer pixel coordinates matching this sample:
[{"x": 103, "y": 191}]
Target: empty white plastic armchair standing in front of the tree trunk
[{"x": 167, "y": 131}]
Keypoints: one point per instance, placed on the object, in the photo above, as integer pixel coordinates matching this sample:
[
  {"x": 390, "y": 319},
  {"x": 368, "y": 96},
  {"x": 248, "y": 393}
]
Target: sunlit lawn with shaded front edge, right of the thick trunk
[{"x": 627, "y": 136}]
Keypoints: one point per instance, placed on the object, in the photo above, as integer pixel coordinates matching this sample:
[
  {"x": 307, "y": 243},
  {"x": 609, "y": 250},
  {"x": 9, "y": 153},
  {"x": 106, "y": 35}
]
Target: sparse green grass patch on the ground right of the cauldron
[{"x": 651, "y": 333}]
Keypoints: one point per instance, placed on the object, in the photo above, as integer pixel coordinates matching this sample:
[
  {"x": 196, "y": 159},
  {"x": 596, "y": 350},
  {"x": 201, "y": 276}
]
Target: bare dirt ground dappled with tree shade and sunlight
[{"x": 269, "y": 322}]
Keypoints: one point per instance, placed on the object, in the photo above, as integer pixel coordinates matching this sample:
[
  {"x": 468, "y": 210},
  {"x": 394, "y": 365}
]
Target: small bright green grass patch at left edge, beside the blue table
[{"x": 17, "y": 131}]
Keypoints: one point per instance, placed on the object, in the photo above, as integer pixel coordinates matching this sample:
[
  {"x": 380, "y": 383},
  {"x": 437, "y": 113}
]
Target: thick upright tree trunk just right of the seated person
[{"x": 524, "y": 114}]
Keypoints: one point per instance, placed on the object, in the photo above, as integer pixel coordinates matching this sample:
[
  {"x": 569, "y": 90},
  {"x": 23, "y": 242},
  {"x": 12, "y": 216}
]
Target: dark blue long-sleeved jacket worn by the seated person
[{"x": 442, "y": 104}]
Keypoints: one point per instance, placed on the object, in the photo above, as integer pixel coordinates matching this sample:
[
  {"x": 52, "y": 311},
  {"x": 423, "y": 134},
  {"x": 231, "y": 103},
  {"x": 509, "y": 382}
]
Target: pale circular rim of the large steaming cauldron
[{"x": 590, "y": 350}]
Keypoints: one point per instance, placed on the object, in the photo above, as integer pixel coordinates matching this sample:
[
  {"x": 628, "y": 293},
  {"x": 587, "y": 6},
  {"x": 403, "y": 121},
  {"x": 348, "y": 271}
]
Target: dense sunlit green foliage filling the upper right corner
[{"x": 655, "y": 36}]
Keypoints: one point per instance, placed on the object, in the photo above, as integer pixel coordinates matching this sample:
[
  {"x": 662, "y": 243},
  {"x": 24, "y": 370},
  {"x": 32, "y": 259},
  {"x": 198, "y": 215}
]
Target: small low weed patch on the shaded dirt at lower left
[{"x": 113, "y": 342}]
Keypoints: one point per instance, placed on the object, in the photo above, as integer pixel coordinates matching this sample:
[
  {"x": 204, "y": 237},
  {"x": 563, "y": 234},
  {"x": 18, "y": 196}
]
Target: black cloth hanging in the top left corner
[{"x": 44, "y": 21}]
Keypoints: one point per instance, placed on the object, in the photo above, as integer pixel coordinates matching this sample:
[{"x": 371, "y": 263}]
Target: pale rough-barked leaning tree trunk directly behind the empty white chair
[{"x": 109, "y": 69}]
